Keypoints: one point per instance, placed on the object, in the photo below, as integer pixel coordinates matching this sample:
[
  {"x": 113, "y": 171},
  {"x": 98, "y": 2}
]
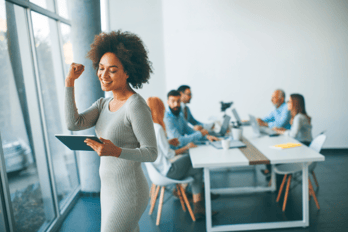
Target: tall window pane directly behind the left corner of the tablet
[{"x": 51, "y": 85}]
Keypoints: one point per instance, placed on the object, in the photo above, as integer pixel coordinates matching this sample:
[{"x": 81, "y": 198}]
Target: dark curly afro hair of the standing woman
[{"x": 129, "y": 49}]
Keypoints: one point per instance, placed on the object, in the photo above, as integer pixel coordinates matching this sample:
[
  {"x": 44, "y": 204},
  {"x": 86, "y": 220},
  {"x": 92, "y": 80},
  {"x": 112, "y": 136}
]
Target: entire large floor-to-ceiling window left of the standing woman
[{"x": 41, "y": 174}]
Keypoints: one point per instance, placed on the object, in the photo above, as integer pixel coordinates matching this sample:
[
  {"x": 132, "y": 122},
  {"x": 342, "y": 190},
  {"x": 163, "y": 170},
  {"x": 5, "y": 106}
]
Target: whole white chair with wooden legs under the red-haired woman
[{"x": 158, "y": 180}]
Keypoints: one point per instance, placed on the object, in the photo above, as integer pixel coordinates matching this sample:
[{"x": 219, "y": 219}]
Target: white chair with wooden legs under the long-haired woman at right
[{"x": 290, "y": 169}]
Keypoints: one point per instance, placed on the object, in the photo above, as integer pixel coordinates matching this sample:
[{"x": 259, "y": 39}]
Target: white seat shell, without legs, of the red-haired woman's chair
[{"x": 158, "y": 179}]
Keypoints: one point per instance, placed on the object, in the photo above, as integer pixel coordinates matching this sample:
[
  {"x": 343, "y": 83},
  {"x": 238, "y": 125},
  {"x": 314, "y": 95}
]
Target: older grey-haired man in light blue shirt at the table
[{"x": 280, "y": 116}]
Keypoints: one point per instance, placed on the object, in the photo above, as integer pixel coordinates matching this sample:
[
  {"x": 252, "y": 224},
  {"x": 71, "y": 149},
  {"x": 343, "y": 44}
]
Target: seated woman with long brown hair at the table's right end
[{"x": 301, "y": 128}]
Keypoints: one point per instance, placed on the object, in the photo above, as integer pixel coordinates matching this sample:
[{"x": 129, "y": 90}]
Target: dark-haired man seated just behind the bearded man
[{"x": 186, "y": 97}]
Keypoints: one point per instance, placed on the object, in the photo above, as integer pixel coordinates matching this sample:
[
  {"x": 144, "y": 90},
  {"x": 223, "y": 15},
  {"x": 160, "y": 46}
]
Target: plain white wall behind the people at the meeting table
[{"x": 243, "y": 50}]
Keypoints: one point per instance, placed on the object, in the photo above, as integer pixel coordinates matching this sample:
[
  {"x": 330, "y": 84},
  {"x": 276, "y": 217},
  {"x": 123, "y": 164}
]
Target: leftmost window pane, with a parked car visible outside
[{"x": 31, "y": 210}]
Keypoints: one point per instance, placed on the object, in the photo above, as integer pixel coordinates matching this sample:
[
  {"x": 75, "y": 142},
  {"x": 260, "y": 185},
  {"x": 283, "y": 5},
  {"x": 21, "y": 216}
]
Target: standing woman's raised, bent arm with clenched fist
[{"x": 74, "y": 120}]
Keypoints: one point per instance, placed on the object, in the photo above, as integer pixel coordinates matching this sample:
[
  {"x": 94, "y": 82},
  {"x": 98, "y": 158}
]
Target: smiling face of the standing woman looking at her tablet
[{"x": 111, "y": 74}]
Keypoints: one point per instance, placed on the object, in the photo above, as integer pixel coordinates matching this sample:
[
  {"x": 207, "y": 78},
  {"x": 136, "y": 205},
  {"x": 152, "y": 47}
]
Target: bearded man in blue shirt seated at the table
[{"x": 177, "y": 126}]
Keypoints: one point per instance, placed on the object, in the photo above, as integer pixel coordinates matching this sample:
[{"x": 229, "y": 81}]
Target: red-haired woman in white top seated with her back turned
[{"x": 179, "y": 168}]
